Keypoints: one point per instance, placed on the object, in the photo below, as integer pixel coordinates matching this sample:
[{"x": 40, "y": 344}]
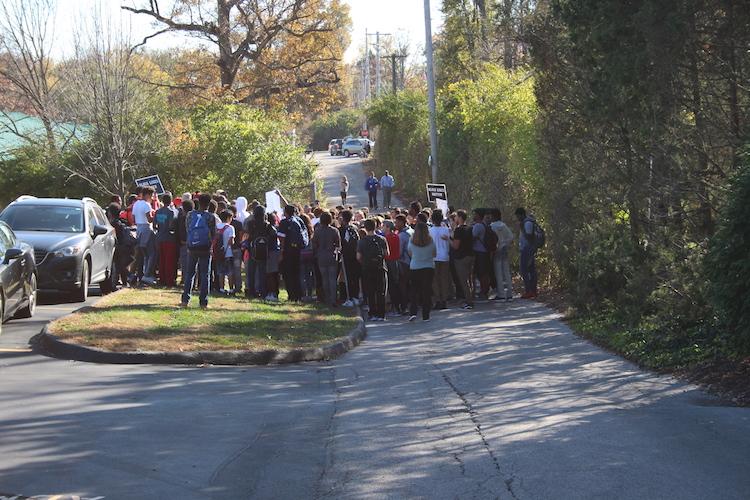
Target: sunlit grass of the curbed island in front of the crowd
[{"x": 150, "y": 320}]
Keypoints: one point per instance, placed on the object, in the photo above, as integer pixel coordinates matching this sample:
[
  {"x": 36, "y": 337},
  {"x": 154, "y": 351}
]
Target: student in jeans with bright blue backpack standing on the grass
[{"x": 201, "y": 229}]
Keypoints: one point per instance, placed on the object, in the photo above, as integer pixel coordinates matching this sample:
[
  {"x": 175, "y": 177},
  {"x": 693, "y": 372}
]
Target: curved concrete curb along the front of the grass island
[{"x": 49, "y": 344}]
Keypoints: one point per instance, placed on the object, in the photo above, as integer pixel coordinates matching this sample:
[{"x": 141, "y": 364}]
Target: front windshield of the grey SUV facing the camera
[{"x": 44, "y": 218}]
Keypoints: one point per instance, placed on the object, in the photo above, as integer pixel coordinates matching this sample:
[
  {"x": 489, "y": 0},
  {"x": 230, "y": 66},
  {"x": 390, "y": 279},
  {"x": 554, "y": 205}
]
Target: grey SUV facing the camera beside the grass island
[{"x": 73, "y": 242}]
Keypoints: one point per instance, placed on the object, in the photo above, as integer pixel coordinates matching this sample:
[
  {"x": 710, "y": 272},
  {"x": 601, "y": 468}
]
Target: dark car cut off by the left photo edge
[{"x": 18, "y": 277}]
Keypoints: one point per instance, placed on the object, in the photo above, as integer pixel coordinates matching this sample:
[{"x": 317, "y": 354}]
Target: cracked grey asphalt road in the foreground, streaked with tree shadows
[{"x": 500, "y": 402}]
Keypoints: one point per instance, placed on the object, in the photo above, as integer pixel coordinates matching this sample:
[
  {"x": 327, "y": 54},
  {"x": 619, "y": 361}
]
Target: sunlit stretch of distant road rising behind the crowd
[{"x": 333, "y": 167}]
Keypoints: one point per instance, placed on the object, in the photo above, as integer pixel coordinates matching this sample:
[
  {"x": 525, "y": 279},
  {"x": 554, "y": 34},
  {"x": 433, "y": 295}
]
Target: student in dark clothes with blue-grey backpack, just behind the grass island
[{"x": 292, "y": 239}]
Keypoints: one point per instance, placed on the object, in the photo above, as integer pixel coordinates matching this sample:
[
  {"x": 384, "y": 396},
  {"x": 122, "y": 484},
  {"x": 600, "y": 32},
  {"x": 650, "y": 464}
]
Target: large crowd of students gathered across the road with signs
[{"x": 403, "y": 261}]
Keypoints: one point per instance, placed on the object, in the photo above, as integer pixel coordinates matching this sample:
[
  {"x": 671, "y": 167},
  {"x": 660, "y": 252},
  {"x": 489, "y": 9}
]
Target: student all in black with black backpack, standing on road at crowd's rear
[{"x": 371, "y": 253}]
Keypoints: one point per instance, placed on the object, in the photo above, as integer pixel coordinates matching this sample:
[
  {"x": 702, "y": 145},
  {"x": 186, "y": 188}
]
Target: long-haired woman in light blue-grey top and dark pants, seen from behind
[{"x": 421, "y": 271}]
